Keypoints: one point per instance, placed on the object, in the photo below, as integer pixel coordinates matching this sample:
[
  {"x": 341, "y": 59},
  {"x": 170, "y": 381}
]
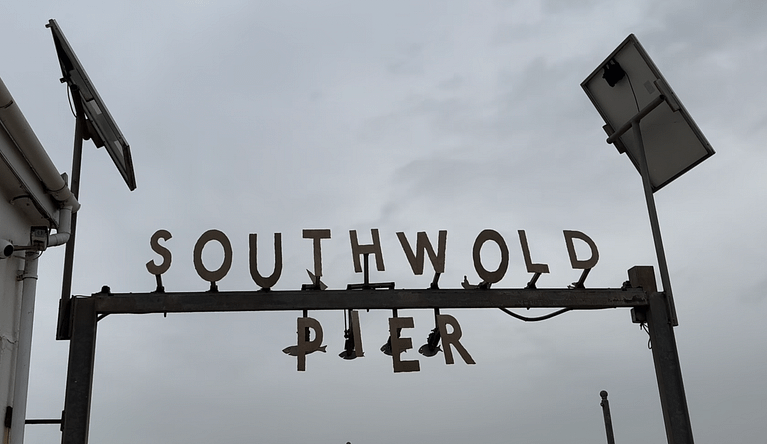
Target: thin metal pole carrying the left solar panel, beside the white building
[{"x": 62, "y": 328}]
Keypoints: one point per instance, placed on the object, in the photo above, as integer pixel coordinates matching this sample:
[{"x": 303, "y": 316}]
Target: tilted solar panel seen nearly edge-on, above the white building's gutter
[{"x": 100, "y": 126}]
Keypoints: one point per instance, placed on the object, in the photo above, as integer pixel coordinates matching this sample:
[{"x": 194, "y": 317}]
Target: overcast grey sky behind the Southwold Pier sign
[{"x": 265, "y": 116}]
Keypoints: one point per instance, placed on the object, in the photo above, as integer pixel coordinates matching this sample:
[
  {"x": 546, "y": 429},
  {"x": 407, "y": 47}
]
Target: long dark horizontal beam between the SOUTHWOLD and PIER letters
[{"x": 178, "y": 302}]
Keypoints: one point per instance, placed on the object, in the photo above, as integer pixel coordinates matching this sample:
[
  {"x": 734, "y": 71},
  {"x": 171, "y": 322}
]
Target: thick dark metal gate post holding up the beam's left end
[{"x": 82, "y": 348}]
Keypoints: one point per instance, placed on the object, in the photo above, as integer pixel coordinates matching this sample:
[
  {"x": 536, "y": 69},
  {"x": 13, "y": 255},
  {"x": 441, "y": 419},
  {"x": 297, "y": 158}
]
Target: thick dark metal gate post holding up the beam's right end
[{"x": 668, "y": 372}]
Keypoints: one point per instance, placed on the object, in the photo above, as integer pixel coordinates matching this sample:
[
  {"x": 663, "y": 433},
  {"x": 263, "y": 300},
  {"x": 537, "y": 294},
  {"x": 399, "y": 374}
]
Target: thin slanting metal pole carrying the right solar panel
[{"x": 654, "y": 223}]
